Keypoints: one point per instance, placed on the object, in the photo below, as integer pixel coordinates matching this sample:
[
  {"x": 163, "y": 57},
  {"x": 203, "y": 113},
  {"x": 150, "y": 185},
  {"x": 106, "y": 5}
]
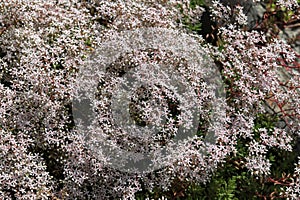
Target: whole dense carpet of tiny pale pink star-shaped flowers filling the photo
[{"x": 49, "y": 49}]
